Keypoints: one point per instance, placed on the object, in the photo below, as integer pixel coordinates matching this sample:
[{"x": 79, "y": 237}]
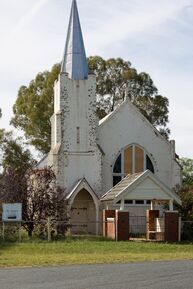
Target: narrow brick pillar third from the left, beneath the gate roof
[{"x": 151, "y": 225}]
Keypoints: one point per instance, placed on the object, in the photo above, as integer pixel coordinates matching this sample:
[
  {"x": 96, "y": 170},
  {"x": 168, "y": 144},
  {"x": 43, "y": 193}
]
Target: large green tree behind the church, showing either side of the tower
[{"x": 116, "y": 79}]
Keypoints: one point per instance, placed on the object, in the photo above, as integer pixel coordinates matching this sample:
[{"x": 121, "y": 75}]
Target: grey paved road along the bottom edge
[{"x": 152, "y": 275}]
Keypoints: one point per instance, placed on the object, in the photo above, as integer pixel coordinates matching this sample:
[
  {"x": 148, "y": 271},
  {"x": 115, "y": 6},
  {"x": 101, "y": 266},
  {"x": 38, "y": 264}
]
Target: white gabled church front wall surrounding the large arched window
[{"x": 127, "y": 126}]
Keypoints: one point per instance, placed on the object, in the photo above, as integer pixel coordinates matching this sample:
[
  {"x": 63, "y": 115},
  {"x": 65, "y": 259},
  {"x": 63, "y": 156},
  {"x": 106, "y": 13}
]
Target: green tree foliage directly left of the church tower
[{"x": 34, "y": 107}]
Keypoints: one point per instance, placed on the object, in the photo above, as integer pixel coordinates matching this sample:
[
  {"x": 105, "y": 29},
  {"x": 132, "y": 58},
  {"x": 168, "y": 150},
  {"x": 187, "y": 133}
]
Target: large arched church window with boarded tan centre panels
[{"x": 132, "y": 159}]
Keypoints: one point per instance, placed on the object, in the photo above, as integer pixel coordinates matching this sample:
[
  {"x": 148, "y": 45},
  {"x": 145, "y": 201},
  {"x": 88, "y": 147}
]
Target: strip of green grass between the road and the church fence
[{"x": 88, "y": 251}]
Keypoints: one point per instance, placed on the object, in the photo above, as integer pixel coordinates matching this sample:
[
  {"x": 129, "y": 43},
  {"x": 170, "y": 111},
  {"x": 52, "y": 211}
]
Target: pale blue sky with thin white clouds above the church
[{"x": 155, "y": 36}]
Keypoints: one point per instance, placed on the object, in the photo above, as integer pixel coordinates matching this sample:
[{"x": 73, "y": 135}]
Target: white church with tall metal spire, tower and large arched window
[{"x": 120, "y": 162}]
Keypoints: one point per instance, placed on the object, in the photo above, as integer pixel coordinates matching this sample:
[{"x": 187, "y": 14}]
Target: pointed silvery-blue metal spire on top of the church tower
[{"x": 74, "y": 61}]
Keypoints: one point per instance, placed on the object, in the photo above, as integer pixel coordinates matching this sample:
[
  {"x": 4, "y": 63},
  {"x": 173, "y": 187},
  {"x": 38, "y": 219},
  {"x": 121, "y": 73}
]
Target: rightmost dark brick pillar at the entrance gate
[{"x": 171, "y": 226}]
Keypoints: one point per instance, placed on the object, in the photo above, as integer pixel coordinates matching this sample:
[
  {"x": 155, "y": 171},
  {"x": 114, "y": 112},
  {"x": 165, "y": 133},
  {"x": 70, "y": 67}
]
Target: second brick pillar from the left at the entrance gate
[{"x": 122, "y": 225}]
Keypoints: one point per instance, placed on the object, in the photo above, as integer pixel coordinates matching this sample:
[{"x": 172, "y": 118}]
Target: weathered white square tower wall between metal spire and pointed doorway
[{"x": 74, "y": 152}]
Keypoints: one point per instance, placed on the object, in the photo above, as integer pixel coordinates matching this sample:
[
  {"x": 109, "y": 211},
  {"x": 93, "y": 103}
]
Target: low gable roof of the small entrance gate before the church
[{"x": 132, "y": 181}]
